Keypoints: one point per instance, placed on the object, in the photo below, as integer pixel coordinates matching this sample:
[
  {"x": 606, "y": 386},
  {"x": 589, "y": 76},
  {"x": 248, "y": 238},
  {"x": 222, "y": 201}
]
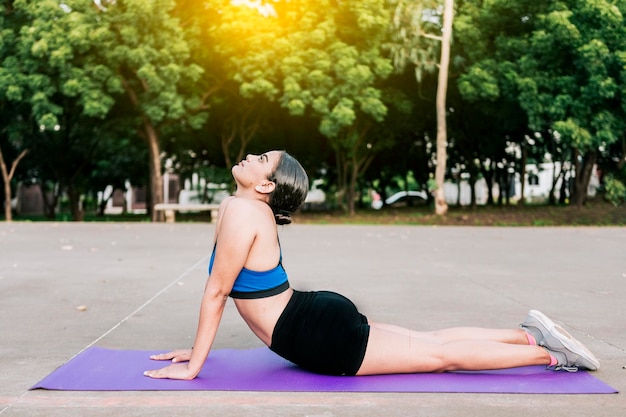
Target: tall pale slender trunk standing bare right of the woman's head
[{"x": 441, "y": 207}]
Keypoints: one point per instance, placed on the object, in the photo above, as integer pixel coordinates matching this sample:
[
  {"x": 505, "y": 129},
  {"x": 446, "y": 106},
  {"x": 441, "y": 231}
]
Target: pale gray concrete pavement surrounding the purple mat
[{"x": 65, "y": 287}]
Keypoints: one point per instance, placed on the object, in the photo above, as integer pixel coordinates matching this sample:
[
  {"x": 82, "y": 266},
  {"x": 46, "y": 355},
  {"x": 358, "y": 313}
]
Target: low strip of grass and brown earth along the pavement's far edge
[{"x": 594, "y": 213}]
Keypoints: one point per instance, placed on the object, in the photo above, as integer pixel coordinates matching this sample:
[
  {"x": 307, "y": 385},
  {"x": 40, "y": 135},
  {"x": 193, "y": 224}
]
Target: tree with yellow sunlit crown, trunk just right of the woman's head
[{"x": 323, "y": 58}]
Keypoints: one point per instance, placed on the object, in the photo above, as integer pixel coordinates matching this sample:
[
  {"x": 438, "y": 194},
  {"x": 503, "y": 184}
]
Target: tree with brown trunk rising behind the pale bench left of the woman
[{"x": 143, "y": 44}]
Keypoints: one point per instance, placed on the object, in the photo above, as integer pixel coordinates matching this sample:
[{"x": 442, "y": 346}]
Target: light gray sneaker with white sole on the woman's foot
[{"x": 569, "y": 352}]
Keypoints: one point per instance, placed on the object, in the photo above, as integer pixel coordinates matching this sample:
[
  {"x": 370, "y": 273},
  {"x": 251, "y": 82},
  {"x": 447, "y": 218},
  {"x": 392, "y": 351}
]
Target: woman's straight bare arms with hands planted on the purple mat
[{"x": 237, "y": 233}]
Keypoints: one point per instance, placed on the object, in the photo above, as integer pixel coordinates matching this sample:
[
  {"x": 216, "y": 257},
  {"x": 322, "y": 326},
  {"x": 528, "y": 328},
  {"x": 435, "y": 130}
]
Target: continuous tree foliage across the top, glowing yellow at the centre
[{"x": 84, "y": 84}]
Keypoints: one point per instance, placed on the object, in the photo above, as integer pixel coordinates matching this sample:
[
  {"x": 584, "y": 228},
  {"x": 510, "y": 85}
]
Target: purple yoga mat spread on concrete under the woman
[{"x": 98, "y": 369}]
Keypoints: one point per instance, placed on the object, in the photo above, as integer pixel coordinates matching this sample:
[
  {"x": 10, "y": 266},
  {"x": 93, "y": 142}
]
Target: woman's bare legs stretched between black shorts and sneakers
[{"x": 392, "y": 349}]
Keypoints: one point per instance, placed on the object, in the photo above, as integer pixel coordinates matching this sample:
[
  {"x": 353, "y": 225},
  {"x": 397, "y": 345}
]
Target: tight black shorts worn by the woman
[{"x": 323, "y": 332}]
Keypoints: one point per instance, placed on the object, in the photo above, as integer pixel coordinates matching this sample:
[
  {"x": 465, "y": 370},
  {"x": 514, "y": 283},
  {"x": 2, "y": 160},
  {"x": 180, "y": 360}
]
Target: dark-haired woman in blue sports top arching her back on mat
[{"x": 323, "y": 331}]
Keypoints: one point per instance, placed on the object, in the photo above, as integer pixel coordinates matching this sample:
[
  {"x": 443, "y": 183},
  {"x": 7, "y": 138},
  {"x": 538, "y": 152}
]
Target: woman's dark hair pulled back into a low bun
[{"x": 292, "y": 186}]
